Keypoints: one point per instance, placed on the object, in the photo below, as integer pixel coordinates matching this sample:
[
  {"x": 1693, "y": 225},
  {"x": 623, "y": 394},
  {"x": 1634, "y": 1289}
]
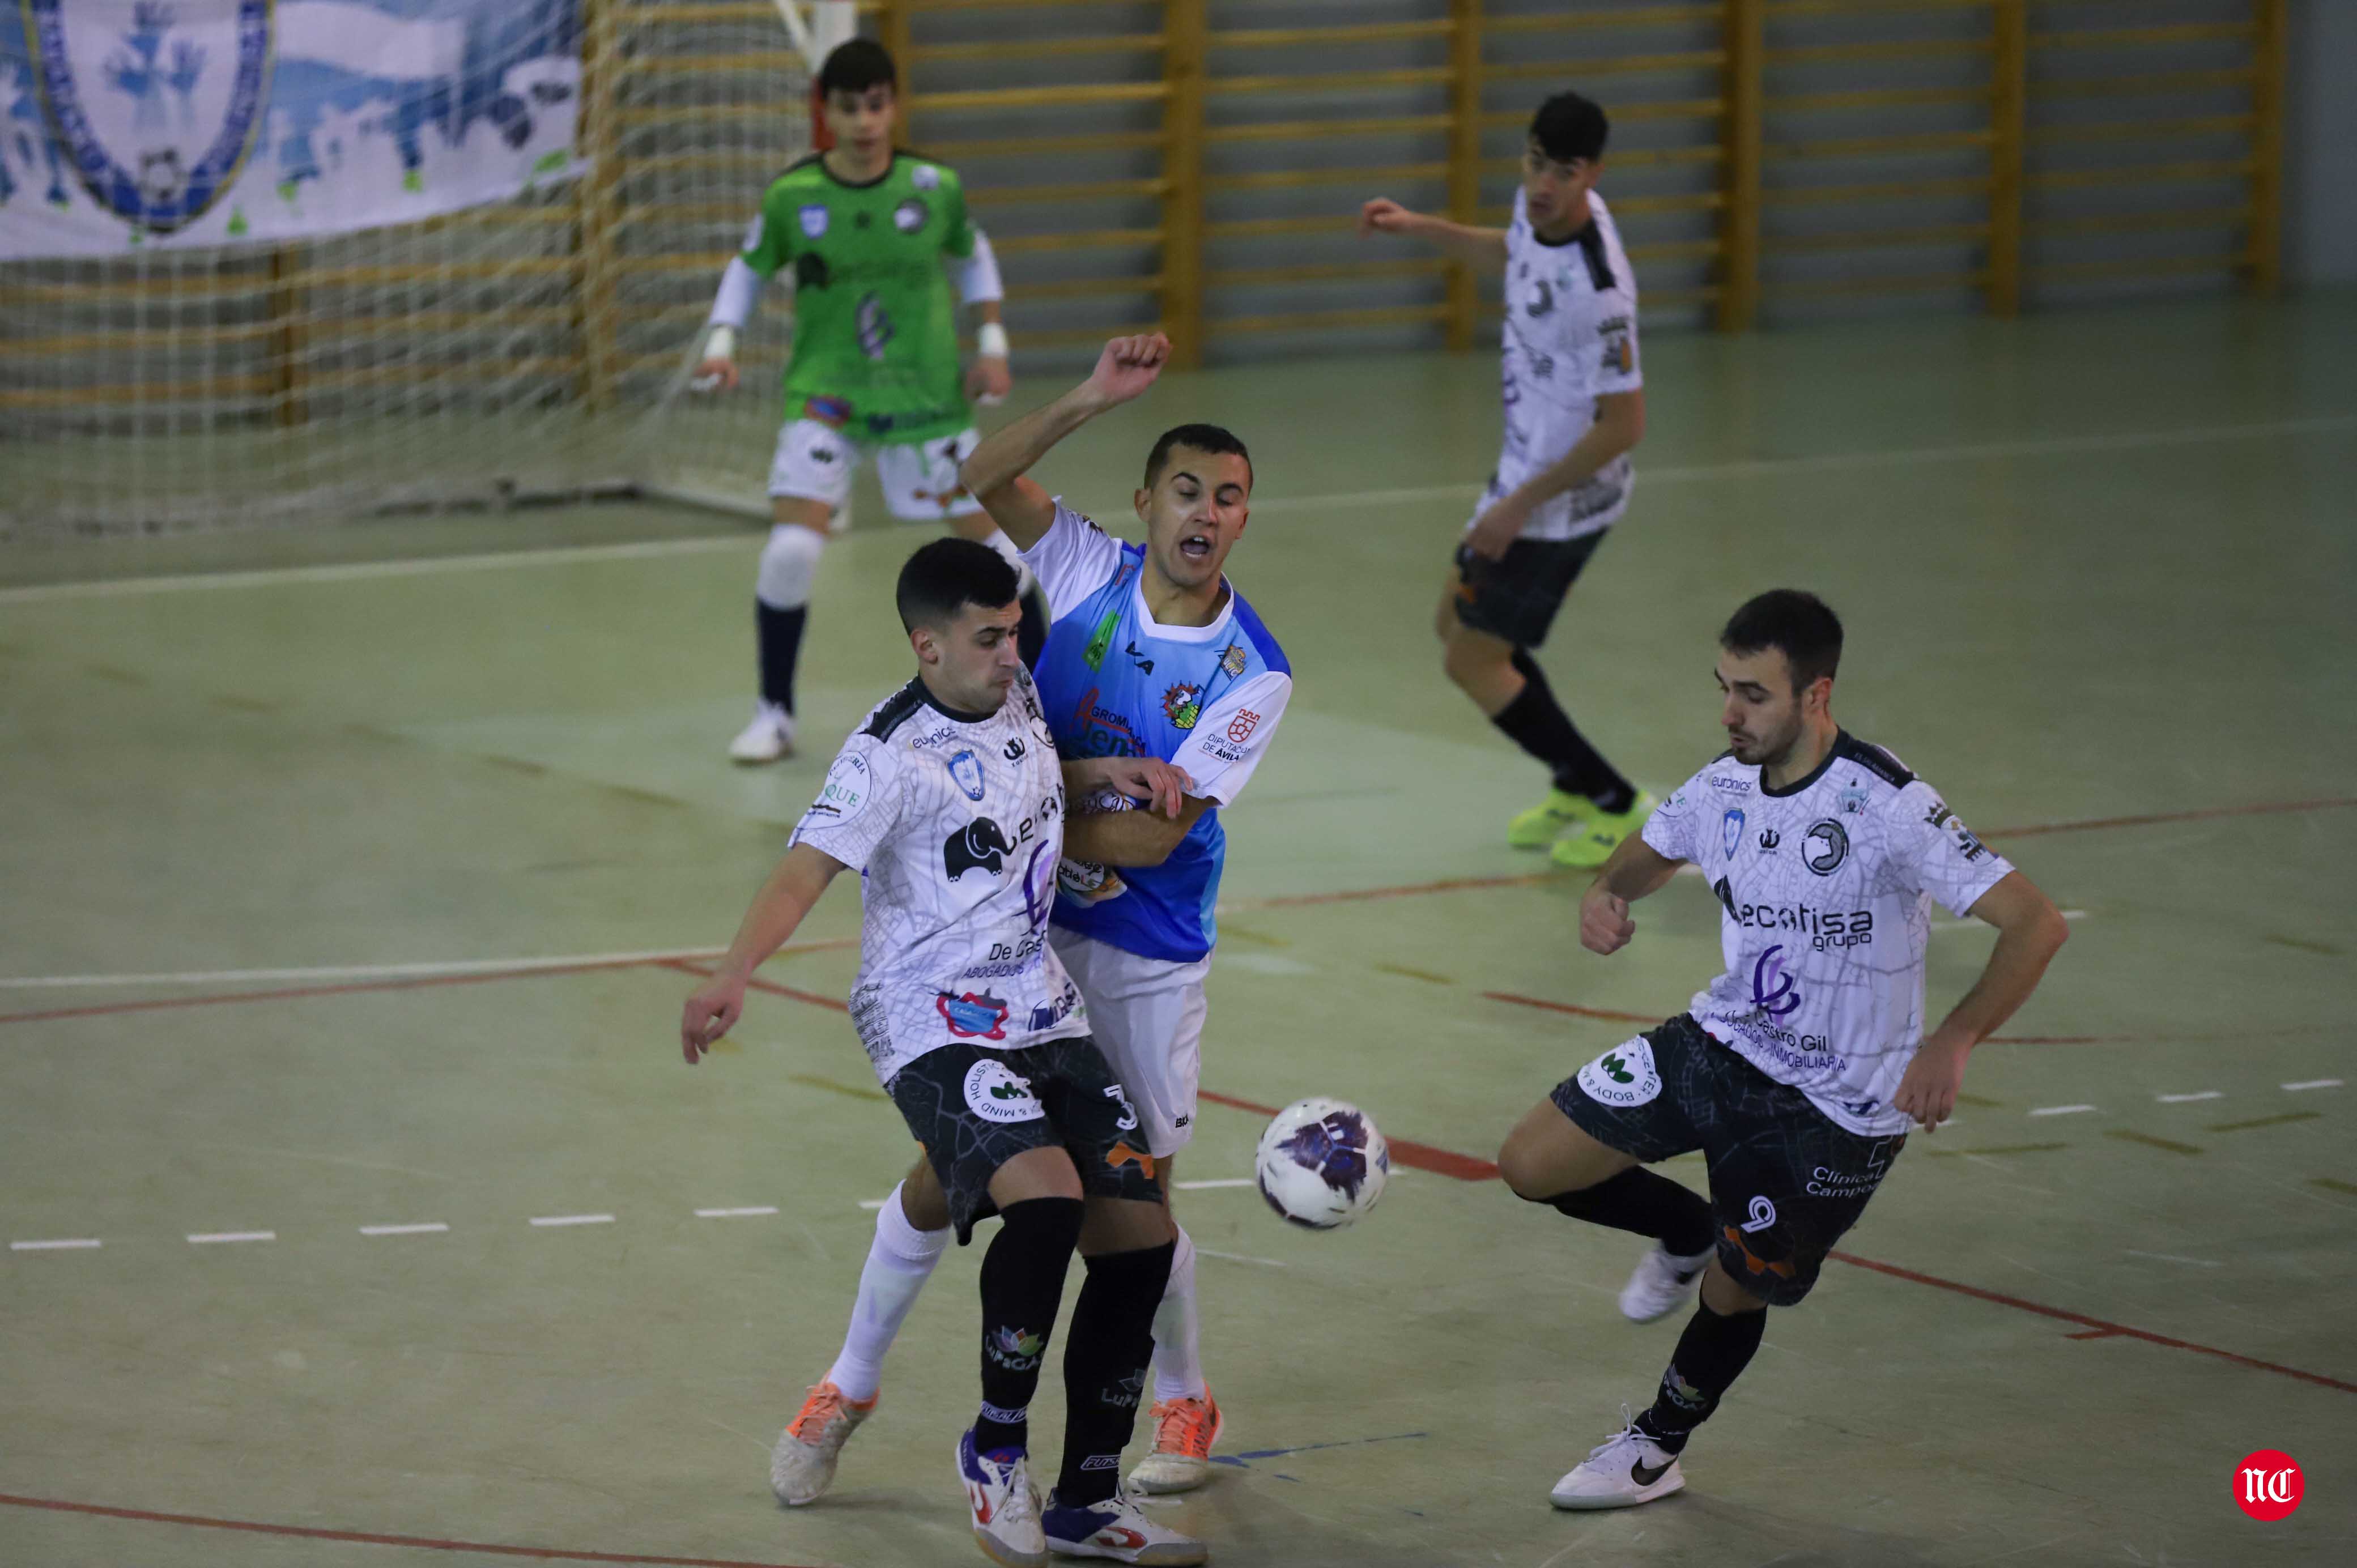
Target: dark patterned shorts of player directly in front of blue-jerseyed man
[{"x": 977, "y": 1109}]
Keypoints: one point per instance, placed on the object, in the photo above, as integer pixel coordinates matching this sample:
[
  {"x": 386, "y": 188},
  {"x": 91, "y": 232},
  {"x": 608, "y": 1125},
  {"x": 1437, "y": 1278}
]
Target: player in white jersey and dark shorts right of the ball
[{"x": 1802, "y": 1067}]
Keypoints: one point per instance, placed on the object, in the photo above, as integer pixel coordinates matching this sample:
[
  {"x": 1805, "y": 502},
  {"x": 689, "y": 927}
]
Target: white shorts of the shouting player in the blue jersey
[{"x": 1147, "y": 1015}]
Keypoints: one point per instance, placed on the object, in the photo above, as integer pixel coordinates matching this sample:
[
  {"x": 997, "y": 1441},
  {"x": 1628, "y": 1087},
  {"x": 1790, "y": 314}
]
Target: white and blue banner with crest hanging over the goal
[{"x": 140, "y": 124}]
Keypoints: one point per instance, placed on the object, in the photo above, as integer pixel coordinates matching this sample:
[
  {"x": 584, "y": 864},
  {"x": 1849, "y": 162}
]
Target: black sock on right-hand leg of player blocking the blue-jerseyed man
[{"x": 1104, "y": 1369}]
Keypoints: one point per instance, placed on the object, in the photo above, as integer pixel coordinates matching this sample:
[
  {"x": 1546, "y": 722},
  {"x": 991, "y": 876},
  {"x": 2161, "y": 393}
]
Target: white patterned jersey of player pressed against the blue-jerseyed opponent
[{"x": 956, "y": 824}]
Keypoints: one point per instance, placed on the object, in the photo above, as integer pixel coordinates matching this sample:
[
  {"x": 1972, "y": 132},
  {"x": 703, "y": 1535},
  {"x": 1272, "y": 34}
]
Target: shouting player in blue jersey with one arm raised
[{"x": 1151, "y": 654}]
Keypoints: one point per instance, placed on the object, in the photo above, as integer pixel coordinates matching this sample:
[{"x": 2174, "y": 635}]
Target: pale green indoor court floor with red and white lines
[{"x": 338, "y": 1003}]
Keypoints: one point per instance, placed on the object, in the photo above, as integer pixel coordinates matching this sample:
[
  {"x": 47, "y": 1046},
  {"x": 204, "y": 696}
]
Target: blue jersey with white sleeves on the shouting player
[{"x": 1116, "y": 685}]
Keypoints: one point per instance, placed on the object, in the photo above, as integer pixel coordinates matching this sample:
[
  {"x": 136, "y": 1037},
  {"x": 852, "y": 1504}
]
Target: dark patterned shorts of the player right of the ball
[{"x": 1785, "y": 1178}]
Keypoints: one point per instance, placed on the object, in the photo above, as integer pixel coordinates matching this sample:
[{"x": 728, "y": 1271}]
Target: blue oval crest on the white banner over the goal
[{"x": 154, "y": 131}]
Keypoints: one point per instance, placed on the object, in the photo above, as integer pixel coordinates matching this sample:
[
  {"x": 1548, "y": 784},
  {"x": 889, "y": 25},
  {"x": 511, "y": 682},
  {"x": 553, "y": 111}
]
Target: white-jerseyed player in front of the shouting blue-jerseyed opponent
[{"x": 951, "y": 805}]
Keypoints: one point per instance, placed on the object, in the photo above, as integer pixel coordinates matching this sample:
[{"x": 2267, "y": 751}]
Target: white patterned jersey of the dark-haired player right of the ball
[{"x": 1825, "y": 900}]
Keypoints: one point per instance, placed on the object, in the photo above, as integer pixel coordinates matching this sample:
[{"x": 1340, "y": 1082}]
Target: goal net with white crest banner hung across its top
[{"x": 289, "y": 360}]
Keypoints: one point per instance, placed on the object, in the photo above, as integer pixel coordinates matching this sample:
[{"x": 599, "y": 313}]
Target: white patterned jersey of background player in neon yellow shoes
[{"x": 1569, "y": 341}]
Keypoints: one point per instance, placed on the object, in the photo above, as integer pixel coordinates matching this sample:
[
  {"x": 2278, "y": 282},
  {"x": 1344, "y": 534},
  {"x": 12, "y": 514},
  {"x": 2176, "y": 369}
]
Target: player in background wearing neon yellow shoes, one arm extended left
[{"x": 1576, "y": 409}]
